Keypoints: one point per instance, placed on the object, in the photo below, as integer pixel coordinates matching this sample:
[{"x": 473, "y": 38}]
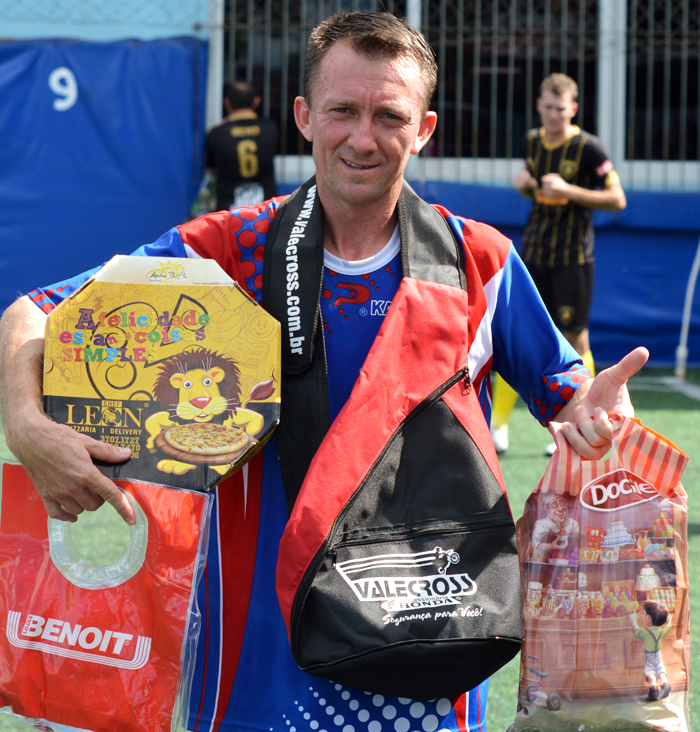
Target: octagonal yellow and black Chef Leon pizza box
[{"x": 171, "y": 358}]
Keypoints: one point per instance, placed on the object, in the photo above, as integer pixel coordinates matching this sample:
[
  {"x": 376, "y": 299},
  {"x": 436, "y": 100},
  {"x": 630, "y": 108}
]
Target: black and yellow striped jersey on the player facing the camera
[{"x": 559, "y": 232}]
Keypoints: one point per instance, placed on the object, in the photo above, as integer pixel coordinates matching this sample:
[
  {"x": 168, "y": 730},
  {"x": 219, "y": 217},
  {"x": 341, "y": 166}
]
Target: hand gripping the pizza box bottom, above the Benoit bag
[{"x": 59, "y": 462}]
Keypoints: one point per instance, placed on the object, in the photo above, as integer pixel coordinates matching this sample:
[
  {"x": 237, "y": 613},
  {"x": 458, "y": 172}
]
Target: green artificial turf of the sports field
[{"x": 668, "y": 407}]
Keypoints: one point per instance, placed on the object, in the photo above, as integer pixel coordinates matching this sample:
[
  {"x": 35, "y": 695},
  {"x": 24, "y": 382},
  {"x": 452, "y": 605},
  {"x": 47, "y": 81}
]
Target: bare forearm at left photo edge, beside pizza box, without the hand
[{"x": 21, "y": 363}]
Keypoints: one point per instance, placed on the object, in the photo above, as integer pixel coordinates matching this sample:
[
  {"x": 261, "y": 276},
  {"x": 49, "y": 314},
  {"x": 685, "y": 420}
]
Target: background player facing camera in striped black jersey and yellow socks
[{"x": 567, "y": 174}]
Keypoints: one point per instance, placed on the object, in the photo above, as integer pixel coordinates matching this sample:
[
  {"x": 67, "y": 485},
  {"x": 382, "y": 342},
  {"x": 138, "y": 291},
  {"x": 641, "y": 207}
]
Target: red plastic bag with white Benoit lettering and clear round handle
[{"x": 98, "y": 648}]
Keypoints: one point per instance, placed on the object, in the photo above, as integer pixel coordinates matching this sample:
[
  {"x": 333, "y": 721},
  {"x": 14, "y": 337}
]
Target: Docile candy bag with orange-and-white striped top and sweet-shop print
[{"x": 603, "y": 547}]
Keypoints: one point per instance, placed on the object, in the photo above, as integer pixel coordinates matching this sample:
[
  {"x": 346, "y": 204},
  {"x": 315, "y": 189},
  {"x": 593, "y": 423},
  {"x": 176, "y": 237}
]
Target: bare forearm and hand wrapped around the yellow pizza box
[{"x": 57, "y": 458}]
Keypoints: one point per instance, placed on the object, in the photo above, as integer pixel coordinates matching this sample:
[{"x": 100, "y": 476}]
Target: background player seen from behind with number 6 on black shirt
[{"x": 241, "y": 150}]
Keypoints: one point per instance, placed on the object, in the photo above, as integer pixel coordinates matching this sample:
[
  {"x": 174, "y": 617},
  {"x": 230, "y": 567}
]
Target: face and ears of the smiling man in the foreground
[{"x": 365, "y": 119}]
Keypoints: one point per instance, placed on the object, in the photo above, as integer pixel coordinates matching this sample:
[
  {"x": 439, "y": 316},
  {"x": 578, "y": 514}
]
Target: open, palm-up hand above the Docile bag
[{"x": 584, "y": 420}]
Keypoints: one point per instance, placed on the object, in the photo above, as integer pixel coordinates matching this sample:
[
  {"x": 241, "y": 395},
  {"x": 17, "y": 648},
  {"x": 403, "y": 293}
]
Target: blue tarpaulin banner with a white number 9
[{"x": 101, "y": 151}]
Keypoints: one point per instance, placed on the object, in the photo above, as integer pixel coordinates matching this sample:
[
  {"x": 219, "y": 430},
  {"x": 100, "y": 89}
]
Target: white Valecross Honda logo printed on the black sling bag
[{"x": 392, "y": 581}]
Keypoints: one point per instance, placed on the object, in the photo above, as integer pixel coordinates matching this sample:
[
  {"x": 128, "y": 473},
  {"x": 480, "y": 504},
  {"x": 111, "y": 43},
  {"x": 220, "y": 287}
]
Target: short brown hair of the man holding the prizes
[{"x": 376, "y": 35}]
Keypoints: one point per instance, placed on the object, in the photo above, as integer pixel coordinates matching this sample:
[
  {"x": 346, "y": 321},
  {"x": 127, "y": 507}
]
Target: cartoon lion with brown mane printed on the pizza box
[{"x": 199, "y": 386}]
